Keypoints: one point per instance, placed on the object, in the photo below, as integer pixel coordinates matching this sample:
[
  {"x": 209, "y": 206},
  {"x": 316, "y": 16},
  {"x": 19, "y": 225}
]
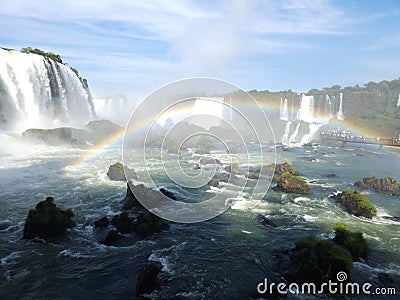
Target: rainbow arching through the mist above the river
[{"x": 180, "y": 112}]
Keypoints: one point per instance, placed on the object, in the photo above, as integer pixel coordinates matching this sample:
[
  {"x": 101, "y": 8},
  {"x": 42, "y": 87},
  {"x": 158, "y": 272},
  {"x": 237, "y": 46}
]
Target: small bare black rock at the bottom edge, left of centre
[{"x": 147, "y": 278}]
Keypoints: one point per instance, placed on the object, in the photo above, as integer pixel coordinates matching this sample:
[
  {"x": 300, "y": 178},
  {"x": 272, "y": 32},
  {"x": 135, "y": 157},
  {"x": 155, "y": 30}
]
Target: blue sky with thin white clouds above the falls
[{"x": 133, "y": 47}]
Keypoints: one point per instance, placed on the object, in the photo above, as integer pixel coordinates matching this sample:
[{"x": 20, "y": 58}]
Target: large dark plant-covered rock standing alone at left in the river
[{"x": 47, "y": 220}]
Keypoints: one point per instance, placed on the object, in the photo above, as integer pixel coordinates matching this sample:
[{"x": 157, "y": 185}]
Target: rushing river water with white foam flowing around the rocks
[{"x": 222, "y": 258}]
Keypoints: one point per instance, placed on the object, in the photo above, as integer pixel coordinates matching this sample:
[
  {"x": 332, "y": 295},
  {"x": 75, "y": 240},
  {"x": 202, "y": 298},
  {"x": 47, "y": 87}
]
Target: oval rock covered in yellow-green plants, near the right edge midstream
[{"x": 356, "y": 203}]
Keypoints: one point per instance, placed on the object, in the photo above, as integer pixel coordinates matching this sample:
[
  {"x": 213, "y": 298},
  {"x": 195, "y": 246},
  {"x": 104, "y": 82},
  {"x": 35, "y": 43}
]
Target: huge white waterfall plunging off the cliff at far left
[{"x": 38, "y": 92}]
